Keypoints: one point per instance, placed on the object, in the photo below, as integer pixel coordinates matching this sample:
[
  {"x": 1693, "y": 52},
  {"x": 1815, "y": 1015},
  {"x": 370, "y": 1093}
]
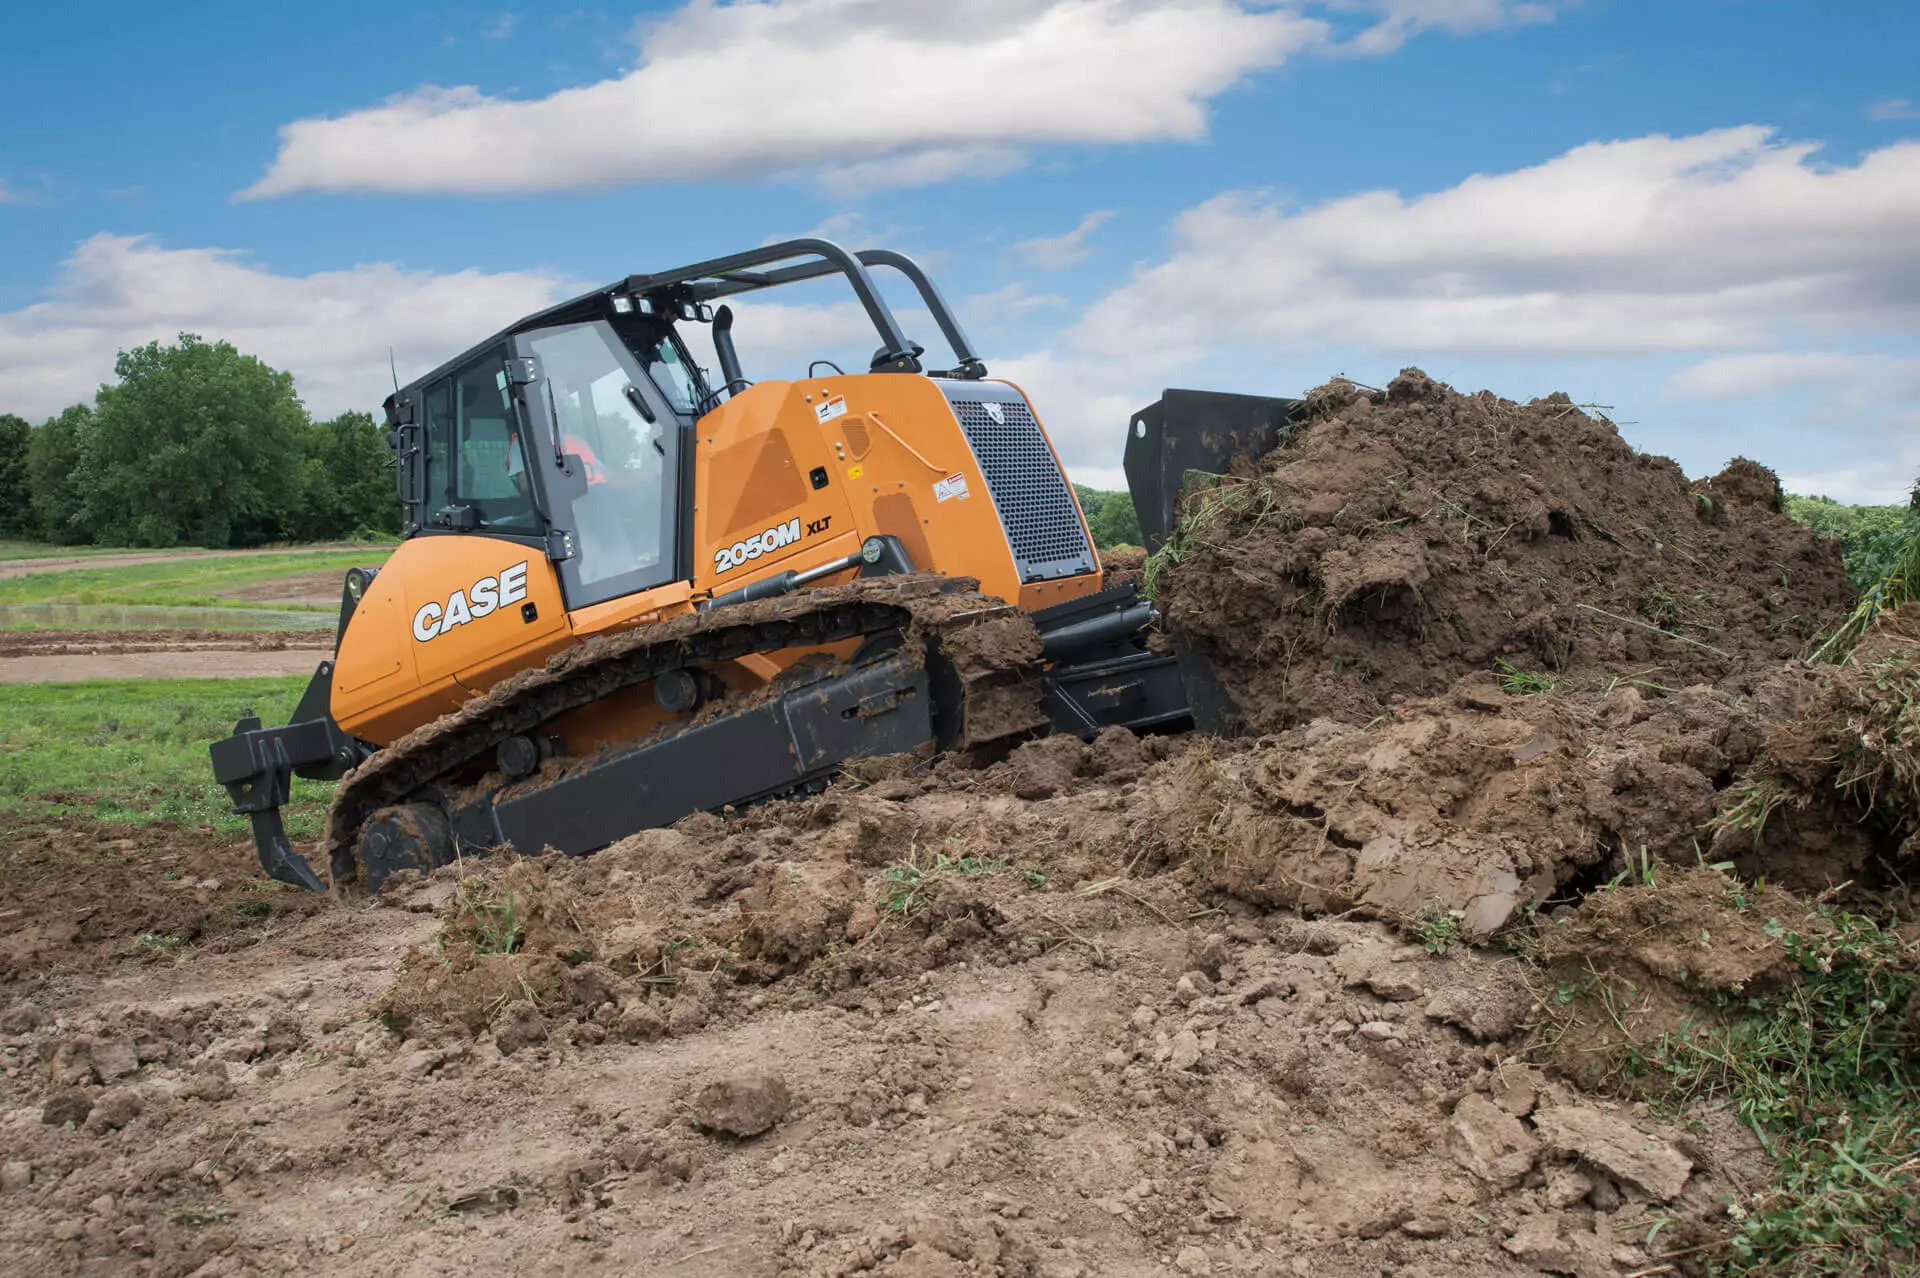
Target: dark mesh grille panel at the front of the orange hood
[{"x": 1028, "y": 488}]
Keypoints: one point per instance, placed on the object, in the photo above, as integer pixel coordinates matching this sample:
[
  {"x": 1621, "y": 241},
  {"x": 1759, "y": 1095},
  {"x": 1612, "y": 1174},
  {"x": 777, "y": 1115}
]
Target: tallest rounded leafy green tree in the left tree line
[{"x": 197, "y": 444}]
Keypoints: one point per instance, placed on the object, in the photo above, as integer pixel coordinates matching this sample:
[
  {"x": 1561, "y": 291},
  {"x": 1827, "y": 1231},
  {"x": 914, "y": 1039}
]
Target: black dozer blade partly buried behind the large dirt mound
[{"x": 1186, "y": 435}]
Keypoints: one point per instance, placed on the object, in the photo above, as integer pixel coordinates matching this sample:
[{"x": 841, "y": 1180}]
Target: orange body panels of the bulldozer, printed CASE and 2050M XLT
[{"x": 788, "y": 475}]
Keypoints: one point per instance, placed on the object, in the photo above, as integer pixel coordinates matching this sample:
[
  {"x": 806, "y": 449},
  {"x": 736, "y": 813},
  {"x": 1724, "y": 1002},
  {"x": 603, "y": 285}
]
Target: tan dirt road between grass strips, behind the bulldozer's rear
[{"x": 70, "y": 655}]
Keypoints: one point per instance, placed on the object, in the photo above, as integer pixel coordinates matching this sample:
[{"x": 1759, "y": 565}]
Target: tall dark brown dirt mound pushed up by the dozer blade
[{"x": 1404, "y": 538}]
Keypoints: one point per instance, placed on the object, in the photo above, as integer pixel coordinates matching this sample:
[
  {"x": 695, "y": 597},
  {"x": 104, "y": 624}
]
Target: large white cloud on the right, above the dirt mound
[{"x": 1654, "y": 245}]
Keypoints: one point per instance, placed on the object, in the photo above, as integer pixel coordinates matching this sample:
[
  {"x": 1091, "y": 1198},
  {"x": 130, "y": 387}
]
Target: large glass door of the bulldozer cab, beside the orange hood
[{"x": 617, "y": 486}]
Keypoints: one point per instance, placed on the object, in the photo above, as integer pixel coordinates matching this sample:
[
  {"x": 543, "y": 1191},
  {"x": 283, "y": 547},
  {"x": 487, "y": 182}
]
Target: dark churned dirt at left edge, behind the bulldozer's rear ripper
[{"x": 87, "y": 895}]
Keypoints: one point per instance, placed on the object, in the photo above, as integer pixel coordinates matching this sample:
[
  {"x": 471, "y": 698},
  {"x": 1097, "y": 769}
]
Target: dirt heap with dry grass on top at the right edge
[{"x": 1836, "y": 792}]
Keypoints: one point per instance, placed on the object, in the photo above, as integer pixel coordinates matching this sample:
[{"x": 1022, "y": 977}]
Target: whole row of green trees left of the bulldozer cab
[{"x": 195, "y": 444}]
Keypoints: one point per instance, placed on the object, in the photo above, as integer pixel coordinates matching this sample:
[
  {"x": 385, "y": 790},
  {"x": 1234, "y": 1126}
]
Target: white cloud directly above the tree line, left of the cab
[{"x": 331, "y": 329}]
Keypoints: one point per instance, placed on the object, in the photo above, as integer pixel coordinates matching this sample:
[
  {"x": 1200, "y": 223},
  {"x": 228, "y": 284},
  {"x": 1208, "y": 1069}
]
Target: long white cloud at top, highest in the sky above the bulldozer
[{"x": 878, "y": 91}]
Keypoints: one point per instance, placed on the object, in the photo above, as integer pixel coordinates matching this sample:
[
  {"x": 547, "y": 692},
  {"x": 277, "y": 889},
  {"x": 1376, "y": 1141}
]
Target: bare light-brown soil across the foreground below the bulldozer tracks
[{"x": 917, "y": 1026}]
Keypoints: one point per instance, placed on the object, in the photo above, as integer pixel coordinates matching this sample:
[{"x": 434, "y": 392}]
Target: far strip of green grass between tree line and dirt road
[{"x": 185, "y": 584}]
